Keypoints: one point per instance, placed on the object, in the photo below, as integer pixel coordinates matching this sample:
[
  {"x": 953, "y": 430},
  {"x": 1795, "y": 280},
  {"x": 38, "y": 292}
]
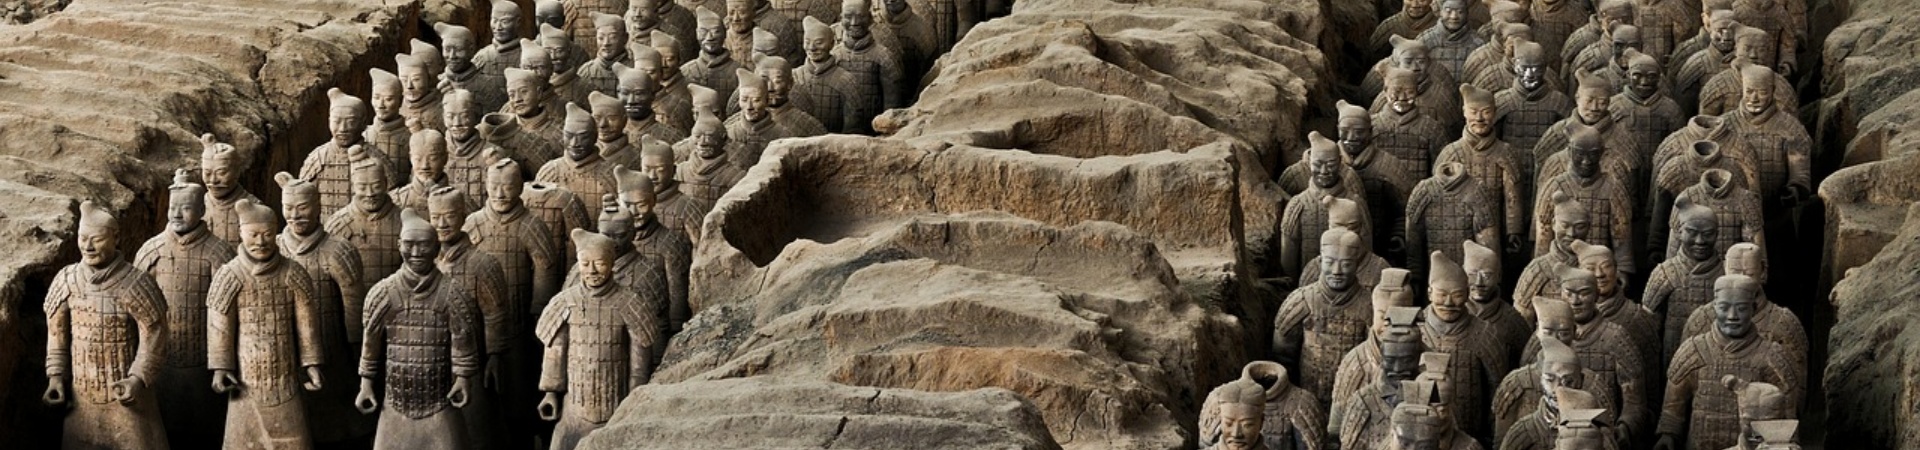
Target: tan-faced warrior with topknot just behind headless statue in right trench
[{"x": 1497, "y": 166}]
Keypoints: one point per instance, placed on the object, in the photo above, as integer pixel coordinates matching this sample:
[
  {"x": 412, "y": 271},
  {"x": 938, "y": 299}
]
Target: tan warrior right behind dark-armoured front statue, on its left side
[{"x": 370, "y": 224}]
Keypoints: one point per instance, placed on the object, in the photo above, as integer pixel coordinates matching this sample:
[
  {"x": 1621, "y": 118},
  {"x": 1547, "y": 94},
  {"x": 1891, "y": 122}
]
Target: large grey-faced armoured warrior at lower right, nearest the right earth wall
[{"x": 1702, "y": 411}]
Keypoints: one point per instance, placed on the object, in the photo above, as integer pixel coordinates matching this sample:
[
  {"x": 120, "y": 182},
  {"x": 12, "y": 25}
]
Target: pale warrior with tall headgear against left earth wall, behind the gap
[{"x": 329, "y": 164}]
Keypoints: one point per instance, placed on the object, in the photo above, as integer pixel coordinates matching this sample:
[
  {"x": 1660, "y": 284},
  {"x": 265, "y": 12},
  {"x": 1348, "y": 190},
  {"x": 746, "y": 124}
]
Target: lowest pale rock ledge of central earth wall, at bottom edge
[{"x": 798, "y": 414}]
